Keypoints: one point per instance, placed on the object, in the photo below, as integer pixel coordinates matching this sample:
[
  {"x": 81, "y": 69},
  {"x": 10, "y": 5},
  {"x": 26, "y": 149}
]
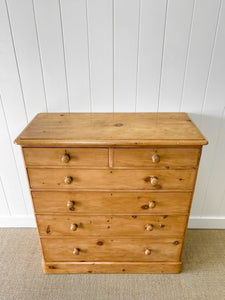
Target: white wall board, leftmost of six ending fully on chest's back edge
[{"x": 47, "y": 14}]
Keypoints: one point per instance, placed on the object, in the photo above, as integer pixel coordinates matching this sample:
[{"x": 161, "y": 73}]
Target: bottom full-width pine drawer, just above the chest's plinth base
[{"x": 110, "y": 249}]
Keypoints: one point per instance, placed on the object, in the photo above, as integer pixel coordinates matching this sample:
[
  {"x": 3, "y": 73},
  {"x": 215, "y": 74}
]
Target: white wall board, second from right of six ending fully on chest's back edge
[{"x": 151, "y": 36}]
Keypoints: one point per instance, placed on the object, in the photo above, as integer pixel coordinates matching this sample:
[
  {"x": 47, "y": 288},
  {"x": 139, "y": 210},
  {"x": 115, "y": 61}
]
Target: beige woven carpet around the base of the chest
[{"x": 21, "y": 276}]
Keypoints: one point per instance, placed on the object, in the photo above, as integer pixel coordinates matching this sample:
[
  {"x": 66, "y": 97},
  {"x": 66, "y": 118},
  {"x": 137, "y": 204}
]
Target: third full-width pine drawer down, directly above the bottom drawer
[{"x": 149, "y": 226}]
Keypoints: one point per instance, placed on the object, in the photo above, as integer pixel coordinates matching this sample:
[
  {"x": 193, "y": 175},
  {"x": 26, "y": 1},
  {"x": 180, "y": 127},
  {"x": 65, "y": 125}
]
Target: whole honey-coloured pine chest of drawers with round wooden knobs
[{"x": 112, "y": 192}]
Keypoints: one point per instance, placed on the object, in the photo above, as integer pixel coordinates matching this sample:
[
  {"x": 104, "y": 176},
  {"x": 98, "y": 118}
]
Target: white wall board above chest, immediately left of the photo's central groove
[{"x": 100, "y": 34}]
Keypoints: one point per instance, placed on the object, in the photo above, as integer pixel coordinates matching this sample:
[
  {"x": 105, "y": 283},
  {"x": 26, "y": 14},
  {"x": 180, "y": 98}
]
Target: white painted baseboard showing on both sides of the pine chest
[{"x": 194, "y": 222}]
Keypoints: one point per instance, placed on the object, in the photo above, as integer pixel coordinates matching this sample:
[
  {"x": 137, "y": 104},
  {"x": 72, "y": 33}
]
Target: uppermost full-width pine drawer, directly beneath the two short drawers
[{"x": 112, "y": 179}]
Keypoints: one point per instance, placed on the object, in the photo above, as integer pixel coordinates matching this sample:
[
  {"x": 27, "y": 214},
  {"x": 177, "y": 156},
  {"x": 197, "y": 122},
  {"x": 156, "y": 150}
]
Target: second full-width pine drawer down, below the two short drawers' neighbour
[{"x": 111, "y": 203}]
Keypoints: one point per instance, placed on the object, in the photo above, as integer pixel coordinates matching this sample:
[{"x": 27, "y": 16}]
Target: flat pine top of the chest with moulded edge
[{"x": 111, "y": 129}]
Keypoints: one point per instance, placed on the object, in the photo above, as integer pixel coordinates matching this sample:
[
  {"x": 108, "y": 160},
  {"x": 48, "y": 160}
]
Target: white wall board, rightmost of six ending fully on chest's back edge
[{"x": 178, "y": 26}]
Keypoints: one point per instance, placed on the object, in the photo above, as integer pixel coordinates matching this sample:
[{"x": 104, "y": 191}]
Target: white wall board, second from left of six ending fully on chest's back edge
[{"x": 74, "y": 23}]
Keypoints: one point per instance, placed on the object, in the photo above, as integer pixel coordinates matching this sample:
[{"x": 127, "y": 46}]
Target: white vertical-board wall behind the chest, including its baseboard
[{"x": 112, "y": 56}]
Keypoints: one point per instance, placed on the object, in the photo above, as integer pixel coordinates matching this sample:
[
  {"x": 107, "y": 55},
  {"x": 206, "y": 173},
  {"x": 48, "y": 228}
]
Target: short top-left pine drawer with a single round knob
[{"x": 81, "y": 157}]
